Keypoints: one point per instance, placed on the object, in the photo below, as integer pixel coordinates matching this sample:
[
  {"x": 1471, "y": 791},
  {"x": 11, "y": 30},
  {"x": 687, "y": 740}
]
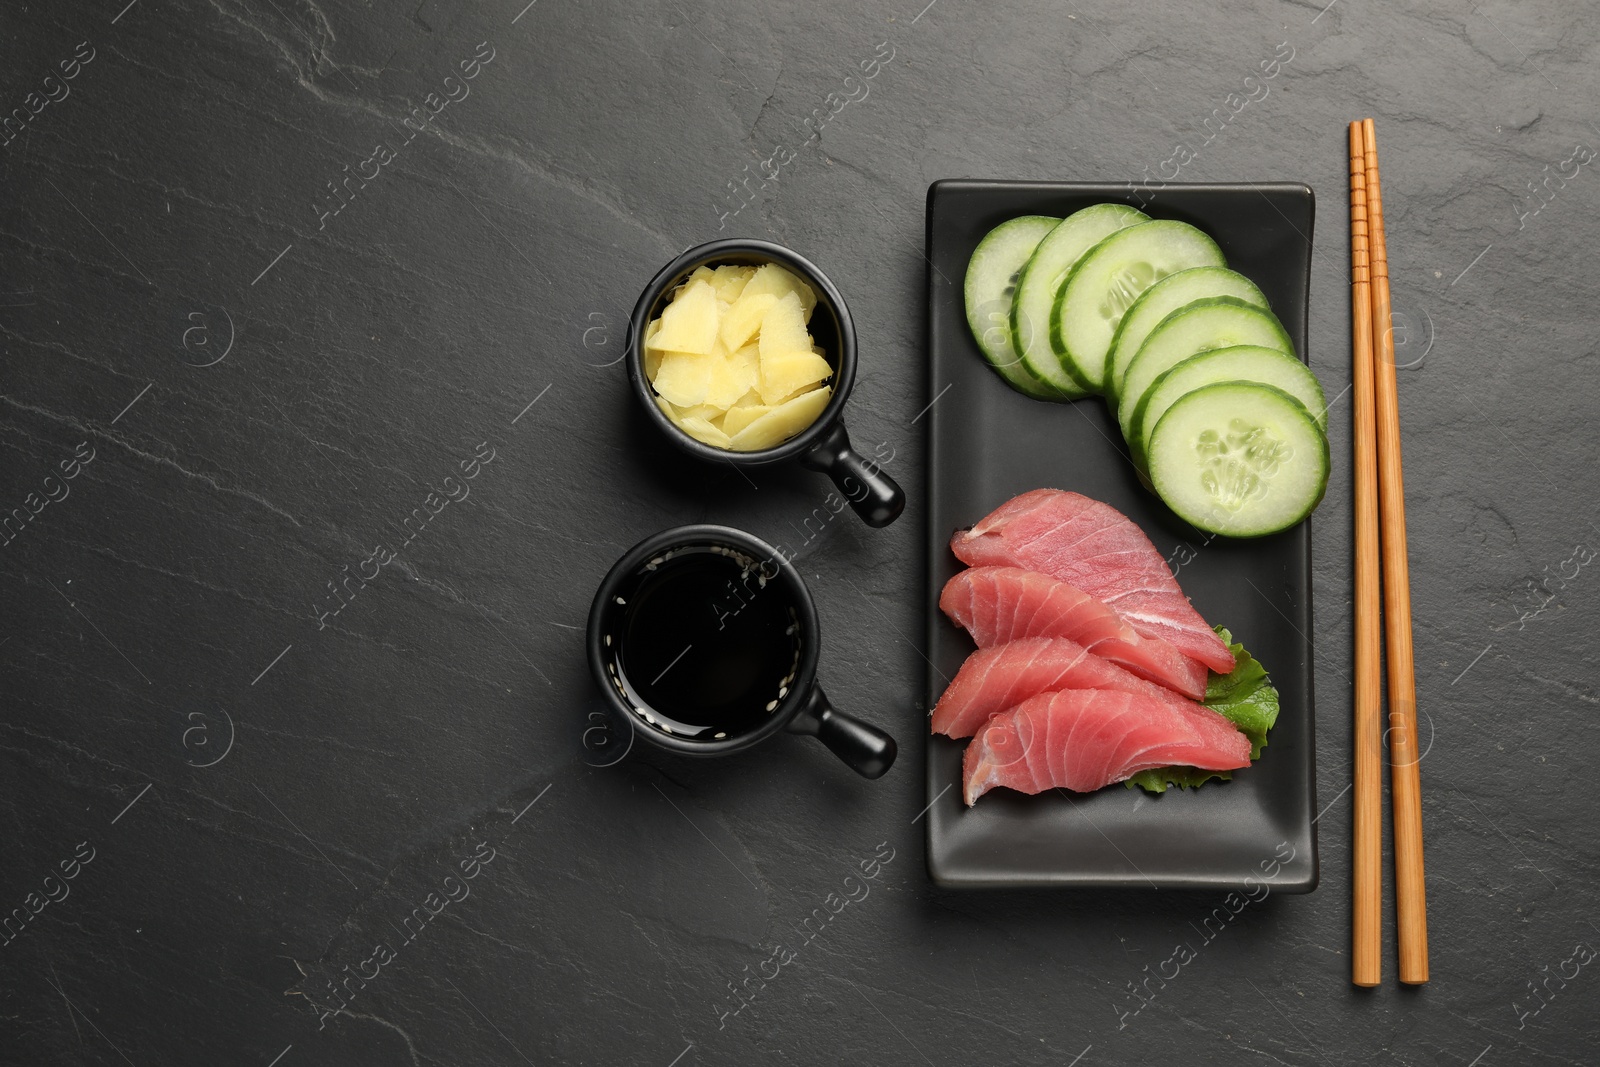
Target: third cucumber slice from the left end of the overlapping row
[{"x": 1110, "y": 279}]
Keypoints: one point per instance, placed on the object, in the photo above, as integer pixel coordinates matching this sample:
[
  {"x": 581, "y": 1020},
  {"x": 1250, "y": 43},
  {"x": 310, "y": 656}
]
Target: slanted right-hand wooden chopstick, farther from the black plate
[{"x": 1404, "y": 775}]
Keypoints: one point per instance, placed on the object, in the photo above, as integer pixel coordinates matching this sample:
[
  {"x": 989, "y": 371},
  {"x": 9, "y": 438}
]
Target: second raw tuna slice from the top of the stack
[{"x": 1006, "y": 604}]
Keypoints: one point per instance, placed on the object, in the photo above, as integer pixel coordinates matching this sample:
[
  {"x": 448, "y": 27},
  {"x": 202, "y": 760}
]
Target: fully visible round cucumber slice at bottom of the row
[{"x": 1239, "y": 460}]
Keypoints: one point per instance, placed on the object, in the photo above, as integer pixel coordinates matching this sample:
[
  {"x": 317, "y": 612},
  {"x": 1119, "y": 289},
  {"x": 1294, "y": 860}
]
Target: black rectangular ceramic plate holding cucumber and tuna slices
[{"x": 986, "y": 444}]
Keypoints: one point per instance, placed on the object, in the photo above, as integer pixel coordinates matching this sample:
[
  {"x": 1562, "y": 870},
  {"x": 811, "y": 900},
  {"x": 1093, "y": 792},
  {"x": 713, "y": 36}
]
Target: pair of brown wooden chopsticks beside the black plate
[{"x": 1382, "y": 575}]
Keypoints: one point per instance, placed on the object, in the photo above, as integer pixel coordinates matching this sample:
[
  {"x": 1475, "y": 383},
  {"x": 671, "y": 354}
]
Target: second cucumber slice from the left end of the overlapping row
[{"x": 1042, "y": 279}]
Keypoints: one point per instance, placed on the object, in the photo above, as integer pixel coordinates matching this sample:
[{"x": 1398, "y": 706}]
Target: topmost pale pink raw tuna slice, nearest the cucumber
[{"x": 1098, "y": 549}]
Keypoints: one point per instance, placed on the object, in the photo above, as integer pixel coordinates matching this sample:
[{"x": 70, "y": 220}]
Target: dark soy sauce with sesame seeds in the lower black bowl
[{"x": 708, "y": 642}]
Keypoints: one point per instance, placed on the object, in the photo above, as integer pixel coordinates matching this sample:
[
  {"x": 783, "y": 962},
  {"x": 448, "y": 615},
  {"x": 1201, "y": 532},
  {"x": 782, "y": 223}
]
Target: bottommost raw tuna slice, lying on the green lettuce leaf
[{"x": 1084, "y": 740}]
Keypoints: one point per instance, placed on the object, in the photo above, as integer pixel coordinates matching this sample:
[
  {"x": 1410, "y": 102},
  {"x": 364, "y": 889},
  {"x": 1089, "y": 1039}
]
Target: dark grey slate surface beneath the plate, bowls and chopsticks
[{"x": 167, "y": 209}]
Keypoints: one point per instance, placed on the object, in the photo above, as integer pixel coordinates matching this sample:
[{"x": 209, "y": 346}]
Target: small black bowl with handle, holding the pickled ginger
[{"x": 825, "y": 446}]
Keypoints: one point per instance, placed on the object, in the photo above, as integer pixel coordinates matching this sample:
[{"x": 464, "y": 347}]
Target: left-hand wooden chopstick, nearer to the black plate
[{"x": 1369, "y": 887}]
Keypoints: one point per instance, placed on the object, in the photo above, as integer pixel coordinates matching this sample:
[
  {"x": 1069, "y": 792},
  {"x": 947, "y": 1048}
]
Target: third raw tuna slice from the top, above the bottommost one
[{"x": 1001, "y": 677}]
